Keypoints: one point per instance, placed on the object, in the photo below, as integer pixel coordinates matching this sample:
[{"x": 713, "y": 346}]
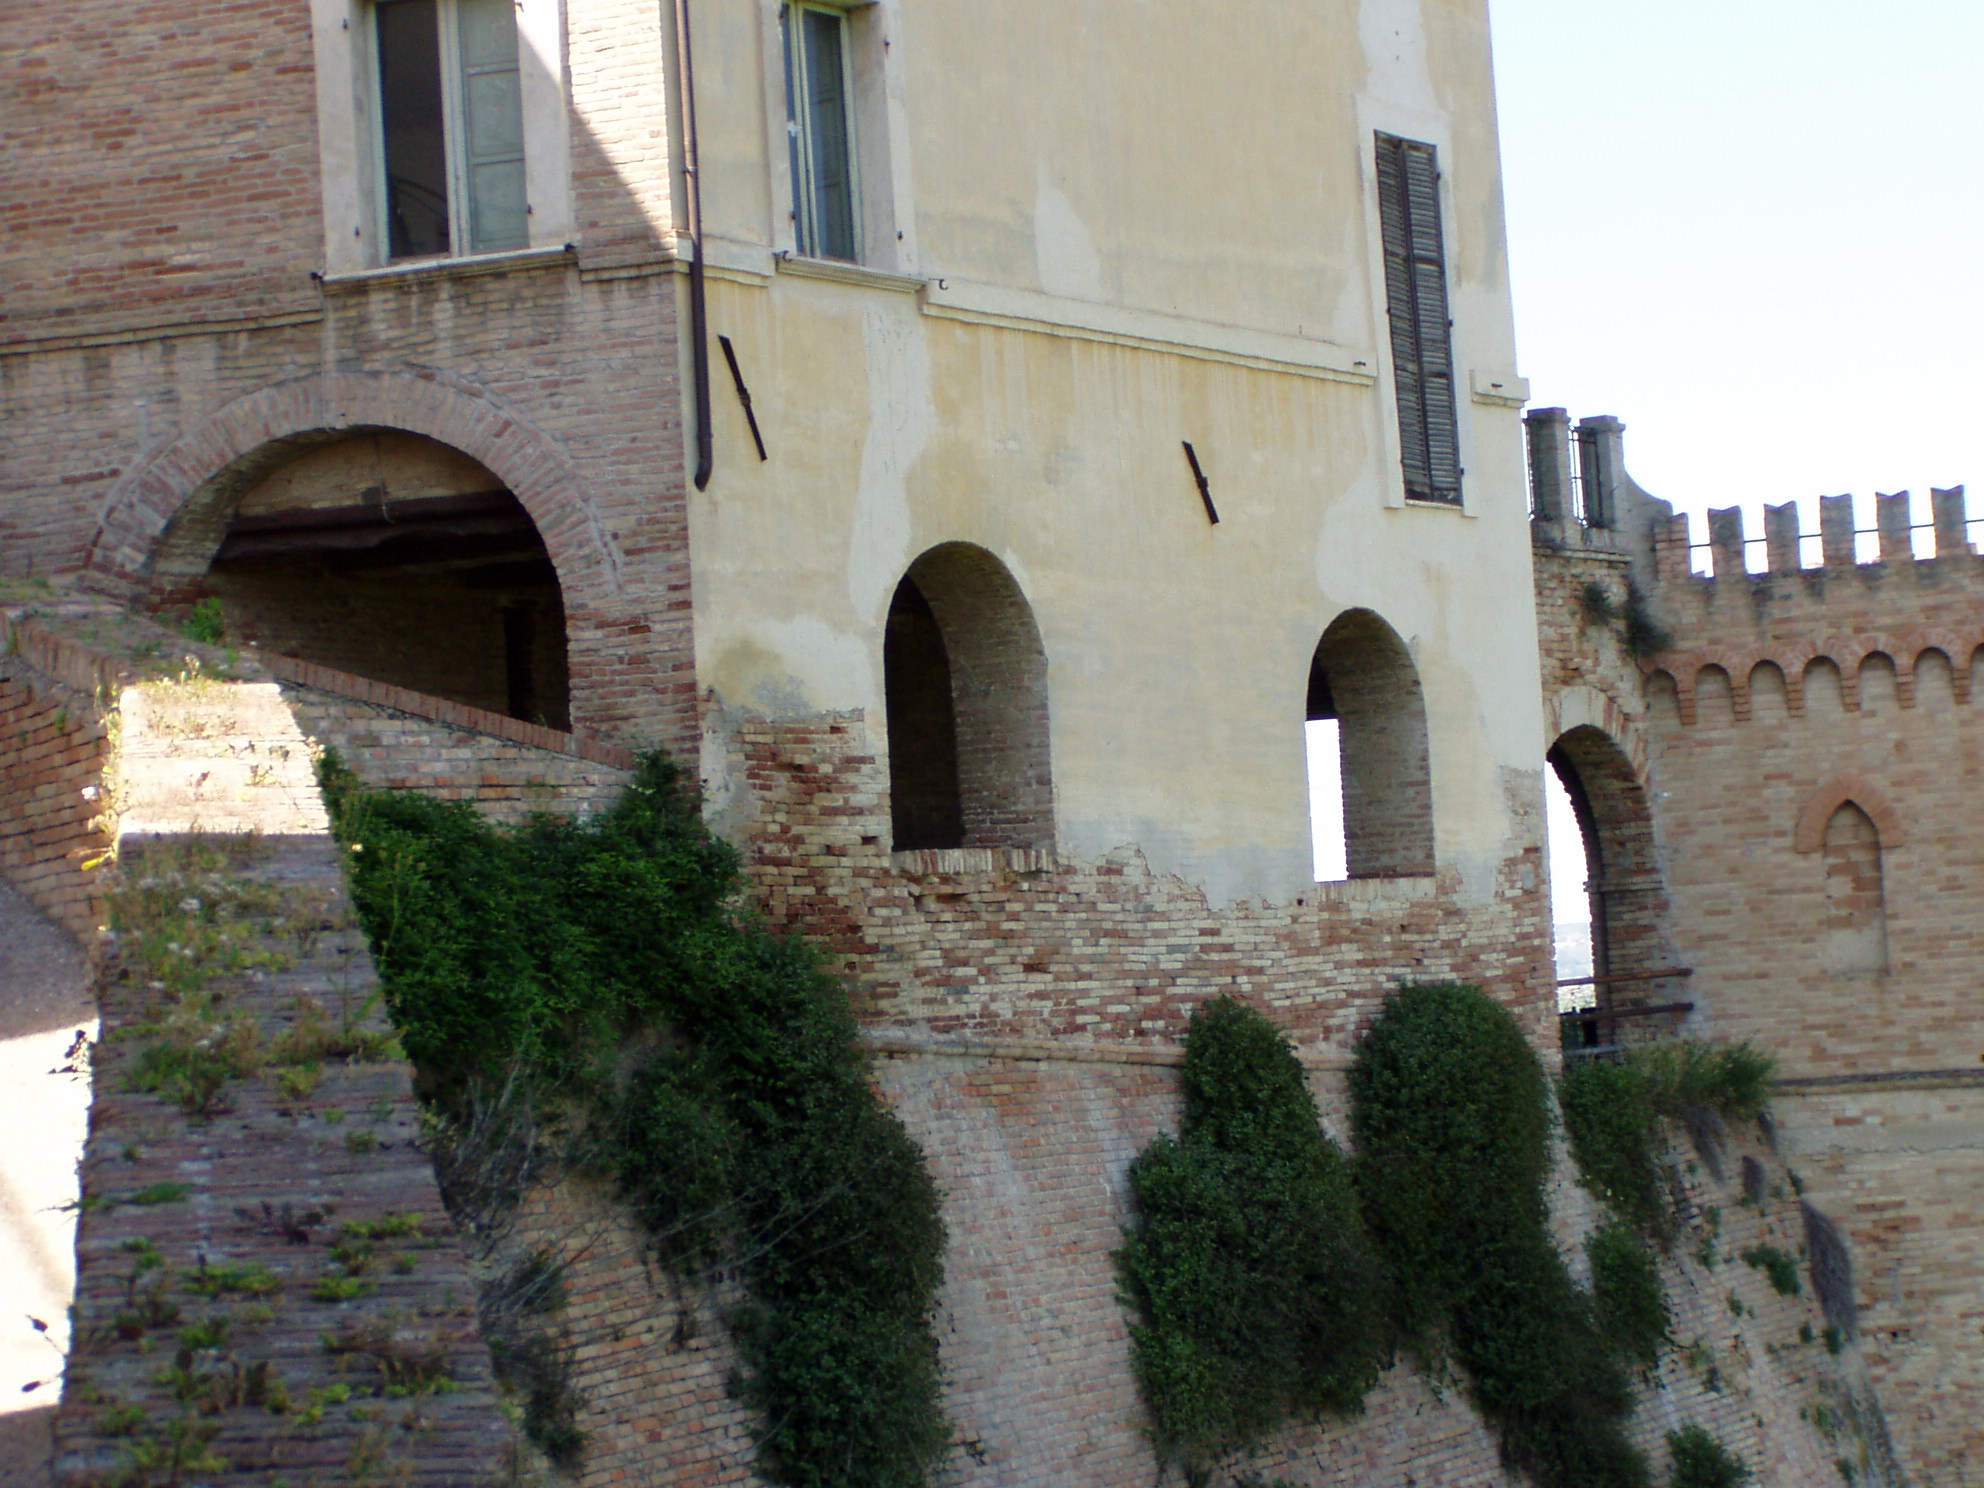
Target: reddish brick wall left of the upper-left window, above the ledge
[{"x": 156, "y": 164}]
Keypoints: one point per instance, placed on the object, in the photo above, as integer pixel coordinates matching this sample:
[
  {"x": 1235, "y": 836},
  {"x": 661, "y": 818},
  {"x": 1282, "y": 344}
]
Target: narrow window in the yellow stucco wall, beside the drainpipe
[{"x": 818, "y": 96}]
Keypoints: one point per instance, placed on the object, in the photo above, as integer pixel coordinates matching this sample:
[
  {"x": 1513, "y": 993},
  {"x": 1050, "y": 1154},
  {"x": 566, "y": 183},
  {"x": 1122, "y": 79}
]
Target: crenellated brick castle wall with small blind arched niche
[{"x": 1812, "y": 781}]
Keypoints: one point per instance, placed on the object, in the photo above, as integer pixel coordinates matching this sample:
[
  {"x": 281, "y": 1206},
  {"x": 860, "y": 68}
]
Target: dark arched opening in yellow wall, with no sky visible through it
[{"x": 965, "y": 685}]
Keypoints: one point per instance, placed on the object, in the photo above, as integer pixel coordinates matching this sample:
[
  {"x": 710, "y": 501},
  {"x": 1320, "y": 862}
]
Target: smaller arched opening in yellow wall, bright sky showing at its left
[{"x": 1370, "y": 771}]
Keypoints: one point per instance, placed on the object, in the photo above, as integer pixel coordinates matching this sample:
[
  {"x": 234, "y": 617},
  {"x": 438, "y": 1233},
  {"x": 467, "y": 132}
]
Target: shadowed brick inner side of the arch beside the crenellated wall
[{"x": 1622, "y": 874}]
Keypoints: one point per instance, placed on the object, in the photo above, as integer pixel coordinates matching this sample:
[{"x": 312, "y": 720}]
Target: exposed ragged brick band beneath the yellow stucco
[{"x": 1021, "y": 943}]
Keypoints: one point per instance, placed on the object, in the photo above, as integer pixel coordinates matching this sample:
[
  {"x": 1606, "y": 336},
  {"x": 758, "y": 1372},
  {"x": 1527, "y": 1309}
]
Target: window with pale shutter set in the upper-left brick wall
[{"x": 451, "y": 122}]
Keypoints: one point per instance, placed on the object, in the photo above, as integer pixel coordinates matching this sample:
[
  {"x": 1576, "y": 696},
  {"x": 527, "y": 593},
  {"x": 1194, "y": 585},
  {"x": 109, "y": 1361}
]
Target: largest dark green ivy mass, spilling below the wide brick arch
[{"x": 596, "y": 995}]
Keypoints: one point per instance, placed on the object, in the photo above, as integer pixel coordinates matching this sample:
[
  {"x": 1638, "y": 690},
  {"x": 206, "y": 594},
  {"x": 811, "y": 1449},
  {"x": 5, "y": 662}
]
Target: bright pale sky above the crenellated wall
[{"x": 1751, "y": 229}]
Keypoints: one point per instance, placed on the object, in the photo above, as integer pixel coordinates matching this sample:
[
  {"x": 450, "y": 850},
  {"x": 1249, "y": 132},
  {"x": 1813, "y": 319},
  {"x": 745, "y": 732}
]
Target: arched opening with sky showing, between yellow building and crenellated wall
[{"x": 1608, "y": 900}]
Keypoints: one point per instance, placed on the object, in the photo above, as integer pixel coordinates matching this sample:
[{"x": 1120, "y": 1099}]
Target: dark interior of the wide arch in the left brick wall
[{"x": 404, "y": 560}]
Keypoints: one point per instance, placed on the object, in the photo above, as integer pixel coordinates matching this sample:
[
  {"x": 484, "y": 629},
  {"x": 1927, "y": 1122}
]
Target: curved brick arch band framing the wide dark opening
[{"x": 168, "y": 517}]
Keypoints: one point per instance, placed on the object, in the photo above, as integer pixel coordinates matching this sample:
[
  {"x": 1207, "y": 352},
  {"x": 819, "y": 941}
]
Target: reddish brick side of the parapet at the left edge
[{"x": 55, "y": 749}]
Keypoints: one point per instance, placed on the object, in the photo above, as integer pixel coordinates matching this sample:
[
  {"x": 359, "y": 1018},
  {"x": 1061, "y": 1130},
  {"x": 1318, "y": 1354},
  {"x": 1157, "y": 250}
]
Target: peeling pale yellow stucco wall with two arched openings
[{"x": 1134, "y": 225}]
